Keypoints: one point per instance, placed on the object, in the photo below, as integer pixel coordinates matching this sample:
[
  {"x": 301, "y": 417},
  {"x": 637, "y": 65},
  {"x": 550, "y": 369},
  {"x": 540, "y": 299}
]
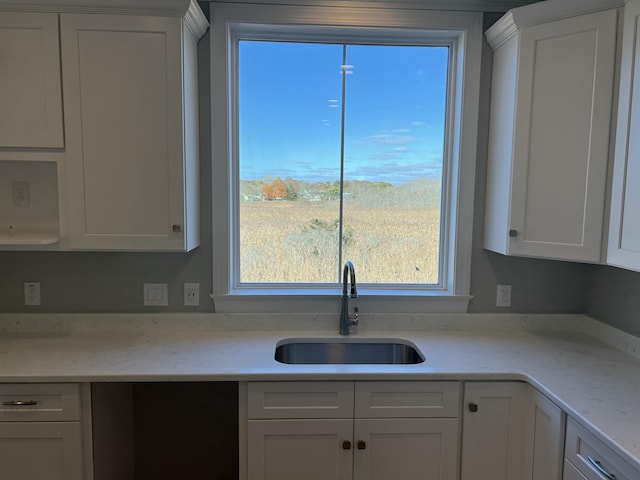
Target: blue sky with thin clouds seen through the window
[{"x": 291, "y": 102}]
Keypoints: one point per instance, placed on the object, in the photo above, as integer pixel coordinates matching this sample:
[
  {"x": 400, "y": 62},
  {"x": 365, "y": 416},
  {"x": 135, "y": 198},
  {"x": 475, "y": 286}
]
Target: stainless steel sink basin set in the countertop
[{"x": 351, "y": 351}]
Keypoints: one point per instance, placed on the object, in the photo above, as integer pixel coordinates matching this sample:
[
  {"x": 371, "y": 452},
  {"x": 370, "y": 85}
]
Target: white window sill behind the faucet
[{"x": 329, "y": 301}]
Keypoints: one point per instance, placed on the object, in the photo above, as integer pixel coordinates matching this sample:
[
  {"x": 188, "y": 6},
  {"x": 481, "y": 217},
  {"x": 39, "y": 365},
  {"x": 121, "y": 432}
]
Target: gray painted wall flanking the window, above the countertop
[{"x": 112, "y": 282}]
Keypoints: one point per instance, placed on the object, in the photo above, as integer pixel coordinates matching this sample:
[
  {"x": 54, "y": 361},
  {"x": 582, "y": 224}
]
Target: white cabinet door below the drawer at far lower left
[{"x": 34, "y": 451}]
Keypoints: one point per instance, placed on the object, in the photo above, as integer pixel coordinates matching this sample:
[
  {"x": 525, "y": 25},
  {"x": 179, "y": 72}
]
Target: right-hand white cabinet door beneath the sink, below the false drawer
[{"x": 407, "y": 448}]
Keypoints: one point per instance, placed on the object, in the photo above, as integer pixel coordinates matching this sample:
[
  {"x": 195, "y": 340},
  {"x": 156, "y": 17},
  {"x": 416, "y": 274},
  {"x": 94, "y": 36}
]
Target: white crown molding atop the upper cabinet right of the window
[{"x": 546, "y": 11}]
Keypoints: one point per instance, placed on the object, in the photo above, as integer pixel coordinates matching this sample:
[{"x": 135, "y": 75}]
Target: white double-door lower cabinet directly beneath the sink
[{"x": 414, "y": 441}]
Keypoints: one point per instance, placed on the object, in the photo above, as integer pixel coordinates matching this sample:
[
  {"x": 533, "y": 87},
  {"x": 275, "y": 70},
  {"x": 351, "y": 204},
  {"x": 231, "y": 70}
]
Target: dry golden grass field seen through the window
[{"x": 297, "y": 241}]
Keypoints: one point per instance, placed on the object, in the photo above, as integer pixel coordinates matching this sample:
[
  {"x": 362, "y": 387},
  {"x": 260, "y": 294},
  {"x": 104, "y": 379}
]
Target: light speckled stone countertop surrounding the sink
[{"x": 593, "y": 382}]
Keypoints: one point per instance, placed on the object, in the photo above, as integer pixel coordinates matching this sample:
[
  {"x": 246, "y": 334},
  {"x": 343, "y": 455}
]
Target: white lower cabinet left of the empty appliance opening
[{"x": 41, "y": 434}]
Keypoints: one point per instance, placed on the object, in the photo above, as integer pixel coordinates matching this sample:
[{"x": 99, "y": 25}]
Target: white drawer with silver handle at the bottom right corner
[{"x": 592, "y": 457}]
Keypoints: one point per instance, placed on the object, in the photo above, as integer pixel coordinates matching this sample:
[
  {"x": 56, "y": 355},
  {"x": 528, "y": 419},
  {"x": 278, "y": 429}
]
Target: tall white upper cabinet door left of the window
[{"x": 123, "y": 108}]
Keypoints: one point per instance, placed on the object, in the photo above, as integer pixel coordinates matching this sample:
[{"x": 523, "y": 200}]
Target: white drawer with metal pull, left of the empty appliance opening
[{"x": 39, "y": 402}]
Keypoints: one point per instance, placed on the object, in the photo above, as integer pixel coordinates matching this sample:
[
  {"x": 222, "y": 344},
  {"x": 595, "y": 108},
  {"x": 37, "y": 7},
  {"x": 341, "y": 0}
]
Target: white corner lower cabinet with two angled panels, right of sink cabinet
[{"x": 510, "y": 432}]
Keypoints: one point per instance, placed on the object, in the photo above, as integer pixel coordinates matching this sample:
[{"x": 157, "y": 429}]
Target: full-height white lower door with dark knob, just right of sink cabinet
[{"x": 494, "y": 431}]
